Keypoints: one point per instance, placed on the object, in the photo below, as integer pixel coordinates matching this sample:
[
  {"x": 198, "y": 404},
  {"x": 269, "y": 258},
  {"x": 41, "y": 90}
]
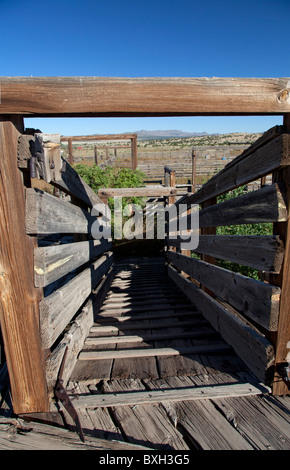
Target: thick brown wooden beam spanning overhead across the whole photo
[{"x": 118, "y": 97}]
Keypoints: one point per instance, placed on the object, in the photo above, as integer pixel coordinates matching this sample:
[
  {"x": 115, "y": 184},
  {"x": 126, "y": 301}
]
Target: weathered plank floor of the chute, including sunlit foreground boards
[{"x": 153, "y": 372}]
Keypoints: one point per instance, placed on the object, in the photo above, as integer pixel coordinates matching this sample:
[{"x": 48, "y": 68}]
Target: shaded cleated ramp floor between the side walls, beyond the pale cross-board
[{"x": 147, "y": 329}]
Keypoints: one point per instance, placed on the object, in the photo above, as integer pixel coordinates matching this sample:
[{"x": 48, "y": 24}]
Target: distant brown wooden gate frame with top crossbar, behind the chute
[{"x": 90, "y": 138}]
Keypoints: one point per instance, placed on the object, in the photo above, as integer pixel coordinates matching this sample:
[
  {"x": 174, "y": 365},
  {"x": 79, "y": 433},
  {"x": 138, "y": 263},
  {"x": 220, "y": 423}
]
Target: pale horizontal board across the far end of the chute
[{"x": 150, "y": 191}]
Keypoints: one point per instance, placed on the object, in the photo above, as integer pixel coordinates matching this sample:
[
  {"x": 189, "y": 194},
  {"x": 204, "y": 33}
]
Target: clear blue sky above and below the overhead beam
[{"x": 152, "y": 38}]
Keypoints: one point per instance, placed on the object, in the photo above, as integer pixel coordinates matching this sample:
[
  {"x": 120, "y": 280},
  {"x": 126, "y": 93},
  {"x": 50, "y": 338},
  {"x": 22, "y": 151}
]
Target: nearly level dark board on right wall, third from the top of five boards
[{"x": 264, "y": 253}]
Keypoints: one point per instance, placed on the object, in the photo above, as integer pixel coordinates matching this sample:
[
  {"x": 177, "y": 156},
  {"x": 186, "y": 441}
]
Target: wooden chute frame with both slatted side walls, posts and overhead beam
[{"x": 42, "y": 316}]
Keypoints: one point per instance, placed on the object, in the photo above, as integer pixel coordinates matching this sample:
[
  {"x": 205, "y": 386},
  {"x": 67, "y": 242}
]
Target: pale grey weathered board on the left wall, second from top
[{"x": 46, "y": 214}]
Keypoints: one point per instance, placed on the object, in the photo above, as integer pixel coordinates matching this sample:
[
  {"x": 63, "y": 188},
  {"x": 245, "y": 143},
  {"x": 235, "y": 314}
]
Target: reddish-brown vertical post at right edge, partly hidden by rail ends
[{"x": 282, "y": 340}]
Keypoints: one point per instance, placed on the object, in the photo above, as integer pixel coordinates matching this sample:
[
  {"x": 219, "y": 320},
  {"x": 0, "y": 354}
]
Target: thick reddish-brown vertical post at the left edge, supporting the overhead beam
[{"x": 19, "y": 315}]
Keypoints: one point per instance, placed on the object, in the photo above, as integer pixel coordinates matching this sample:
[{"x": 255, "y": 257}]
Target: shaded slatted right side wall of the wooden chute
[{"x": 247, "y": 312}]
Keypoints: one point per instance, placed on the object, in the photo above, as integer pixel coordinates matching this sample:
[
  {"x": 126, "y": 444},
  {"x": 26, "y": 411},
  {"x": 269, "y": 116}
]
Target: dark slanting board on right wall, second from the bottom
[{"x": 258, "y": 300}]
